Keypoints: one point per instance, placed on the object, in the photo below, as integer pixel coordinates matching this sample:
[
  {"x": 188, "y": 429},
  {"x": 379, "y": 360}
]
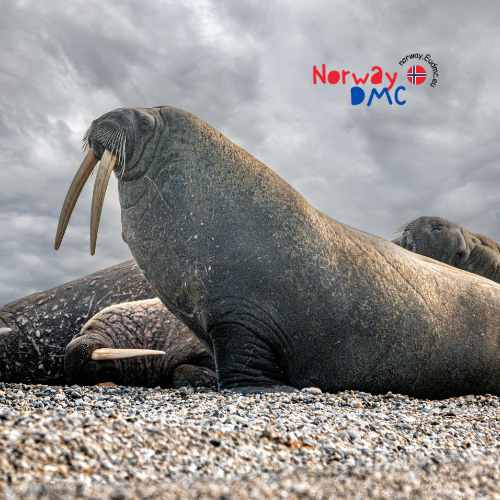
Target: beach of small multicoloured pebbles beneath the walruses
[{"x": 117, "y": 442}]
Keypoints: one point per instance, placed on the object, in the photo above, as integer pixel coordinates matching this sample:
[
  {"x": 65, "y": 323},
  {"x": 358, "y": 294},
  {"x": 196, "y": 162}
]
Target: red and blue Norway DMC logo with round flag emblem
[{"x": 378, "y": 84}]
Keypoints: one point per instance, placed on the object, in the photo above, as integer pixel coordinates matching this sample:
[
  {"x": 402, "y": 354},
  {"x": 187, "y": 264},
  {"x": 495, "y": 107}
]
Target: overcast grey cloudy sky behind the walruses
[{"x": 246, "y": 68}]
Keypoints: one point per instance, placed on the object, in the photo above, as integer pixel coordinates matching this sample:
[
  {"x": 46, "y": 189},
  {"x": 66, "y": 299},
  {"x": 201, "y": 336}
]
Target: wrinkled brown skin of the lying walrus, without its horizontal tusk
[{"x": 145, "y": 324}]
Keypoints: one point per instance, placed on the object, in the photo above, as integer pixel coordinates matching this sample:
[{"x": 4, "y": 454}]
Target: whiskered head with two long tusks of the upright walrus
[{"x": 115, "y": 141}]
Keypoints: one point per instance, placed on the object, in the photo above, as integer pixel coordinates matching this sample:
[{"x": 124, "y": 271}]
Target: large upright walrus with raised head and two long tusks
[{"x": 285, "y": 296}]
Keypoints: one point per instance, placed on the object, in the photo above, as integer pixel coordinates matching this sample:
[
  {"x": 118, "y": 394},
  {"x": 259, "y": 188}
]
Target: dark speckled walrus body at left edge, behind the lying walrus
[{"x": 43, "y": 323}]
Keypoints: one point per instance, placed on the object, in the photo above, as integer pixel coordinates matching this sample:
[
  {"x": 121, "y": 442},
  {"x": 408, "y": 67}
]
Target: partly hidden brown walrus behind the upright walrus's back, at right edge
[{"x": 451, "y": 243}]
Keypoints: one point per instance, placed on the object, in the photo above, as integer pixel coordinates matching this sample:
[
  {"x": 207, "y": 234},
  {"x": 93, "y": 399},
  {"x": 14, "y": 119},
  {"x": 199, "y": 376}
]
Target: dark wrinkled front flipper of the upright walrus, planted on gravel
[{"x": 246, "y": 358}]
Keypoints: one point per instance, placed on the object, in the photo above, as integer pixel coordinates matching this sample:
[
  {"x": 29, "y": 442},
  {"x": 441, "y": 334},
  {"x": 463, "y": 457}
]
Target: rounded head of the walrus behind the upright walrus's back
[{"x": 437, "y": 238}]
